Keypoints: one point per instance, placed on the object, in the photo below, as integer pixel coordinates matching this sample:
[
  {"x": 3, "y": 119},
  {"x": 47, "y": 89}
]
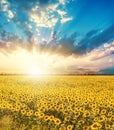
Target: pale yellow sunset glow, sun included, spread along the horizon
[{"x": 35, "y": 62}]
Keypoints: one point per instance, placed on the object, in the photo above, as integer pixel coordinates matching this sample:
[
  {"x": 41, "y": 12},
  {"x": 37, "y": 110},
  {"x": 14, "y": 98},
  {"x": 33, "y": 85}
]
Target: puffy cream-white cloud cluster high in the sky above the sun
[{"x": 46, "y": 16}]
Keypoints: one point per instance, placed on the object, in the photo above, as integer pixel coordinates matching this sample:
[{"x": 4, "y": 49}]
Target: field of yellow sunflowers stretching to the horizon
[{"x": 57, "y": 103}]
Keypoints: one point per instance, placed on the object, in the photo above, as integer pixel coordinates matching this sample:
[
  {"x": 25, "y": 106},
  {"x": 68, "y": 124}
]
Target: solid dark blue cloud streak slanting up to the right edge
[{"x": 90, "y": 42}]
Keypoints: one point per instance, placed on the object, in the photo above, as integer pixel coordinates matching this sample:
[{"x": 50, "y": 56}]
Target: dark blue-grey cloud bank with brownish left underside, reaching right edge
[{"x": 92, "y": 40}]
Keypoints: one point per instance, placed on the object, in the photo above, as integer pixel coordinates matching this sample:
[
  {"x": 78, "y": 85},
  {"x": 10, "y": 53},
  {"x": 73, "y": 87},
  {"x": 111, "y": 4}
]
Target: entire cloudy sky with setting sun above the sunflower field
[{"x": 57, "y": 36}]
